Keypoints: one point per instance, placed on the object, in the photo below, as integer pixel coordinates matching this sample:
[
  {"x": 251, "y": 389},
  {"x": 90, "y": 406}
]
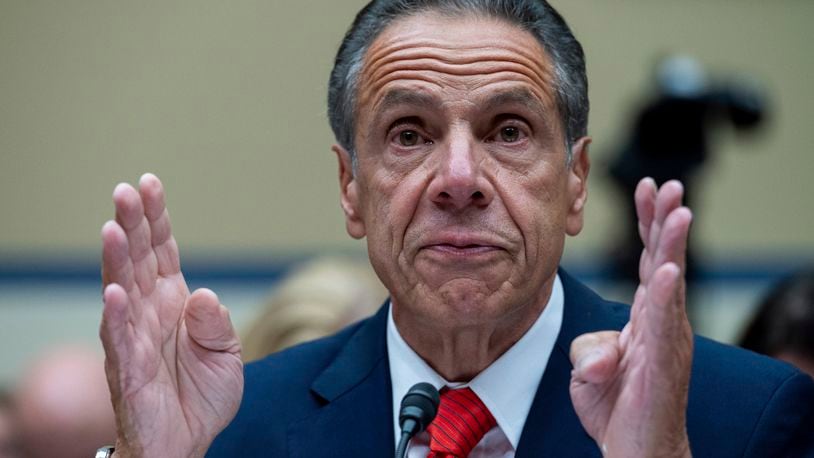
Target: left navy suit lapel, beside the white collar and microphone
[{"x": 356, "y": 391}]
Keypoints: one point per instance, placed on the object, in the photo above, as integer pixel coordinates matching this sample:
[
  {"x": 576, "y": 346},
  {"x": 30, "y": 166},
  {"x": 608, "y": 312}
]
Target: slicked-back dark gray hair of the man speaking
[{"x": 534, "y": 16}]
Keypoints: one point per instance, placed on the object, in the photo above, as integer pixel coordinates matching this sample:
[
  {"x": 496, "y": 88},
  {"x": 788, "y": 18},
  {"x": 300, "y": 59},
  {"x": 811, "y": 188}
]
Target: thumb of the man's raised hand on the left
[{"x": 208, "y": 322}]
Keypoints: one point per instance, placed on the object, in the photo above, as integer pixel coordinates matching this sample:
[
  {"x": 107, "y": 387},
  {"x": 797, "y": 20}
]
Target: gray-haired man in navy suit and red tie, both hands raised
[{"x": 462, "y": 144}]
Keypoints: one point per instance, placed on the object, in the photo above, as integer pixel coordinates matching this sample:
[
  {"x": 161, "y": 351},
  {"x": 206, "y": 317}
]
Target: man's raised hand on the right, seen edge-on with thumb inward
[{"x": 629, "y": 389}]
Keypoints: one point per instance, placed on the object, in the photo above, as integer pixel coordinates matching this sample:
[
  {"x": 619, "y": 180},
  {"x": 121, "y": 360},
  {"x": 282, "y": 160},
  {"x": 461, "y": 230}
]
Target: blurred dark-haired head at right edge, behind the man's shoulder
[{"x": 783, "y": 326}]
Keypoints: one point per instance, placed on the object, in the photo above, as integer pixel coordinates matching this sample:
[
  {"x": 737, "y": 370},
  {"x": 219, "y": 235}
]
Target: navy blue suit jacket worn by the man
[{"x": 332, "y": 397}]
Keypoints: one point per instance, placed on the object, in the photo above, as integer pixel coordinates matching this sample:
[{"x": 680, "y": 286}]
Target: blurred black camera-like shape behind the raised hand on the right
[{"x": 672, "y": 138}]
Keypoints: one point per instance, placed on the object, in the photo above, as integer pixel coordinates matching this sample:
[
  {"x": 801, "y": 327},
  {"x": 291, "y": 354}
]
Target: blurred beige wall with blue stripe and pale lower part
[{"x": 225, "y": 101}]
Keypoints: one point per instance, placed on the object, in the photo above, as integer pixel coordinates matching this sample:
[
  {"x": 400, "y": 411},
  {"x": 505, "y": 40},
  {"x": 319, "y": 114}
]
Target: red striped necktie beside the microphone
[{"x": 461, "y": 423}]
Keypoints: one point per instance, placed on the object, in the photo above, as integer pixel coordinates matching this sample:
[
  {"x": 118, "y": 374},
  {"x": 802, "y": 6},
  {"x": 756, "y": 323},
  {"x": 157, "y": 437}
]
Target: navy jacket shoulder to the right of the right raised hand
[{"x": 745, "y": 404}]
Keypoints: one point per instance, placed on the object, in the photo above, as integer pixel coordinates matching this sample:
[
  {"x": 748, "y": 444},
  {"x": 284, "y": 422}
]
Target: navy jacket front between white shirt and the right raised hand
[{"x": 552, "y": 428}]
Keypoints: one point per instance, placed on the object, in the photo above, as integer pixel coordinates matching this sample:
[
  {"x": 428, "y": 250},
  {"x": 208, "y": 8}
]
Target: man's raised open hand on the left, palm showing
[{"x": 172, "y": 358}]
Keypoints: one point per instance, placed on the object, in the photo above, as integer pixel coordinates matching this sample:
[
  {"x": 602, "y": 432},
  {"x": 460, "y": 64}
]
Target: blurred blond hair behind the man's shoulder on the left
[{"x": 317, "y": 299}]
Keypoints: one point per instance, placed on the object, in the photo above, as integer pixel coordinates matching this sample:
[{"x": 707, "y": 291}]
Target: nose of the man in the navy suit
[{"x": 460, "y": 181}]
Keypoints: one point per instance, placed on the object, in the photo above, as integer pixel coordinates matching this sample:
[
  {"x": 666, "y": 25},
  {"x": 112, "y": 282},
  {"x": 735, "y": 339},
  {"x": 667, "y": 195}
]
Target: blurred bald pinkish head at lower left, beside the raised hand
[{"x": 62, "y": 405}]
